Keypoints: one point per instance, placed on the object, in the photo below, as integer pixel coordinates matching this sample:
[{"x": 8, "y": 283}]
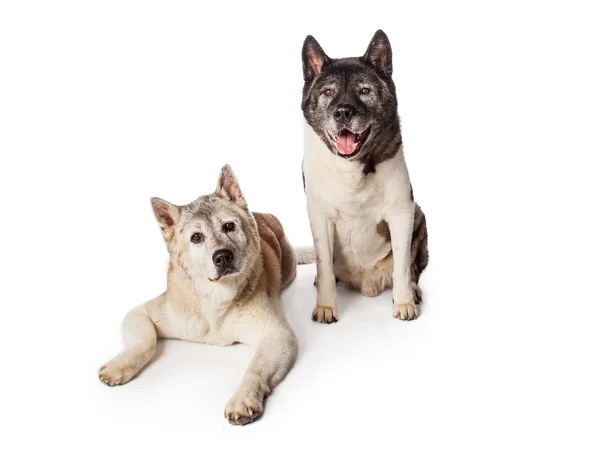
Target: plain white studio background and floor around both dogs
[{"x": 105, "y": 104}]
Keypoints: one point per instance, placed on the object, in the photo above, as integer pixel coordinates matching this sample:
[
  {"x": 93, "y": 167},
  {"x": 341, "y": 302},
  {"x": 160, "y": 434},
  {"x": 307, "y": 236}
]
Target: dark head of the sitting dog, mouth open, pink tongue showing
[{"x": 351, "y": 102}]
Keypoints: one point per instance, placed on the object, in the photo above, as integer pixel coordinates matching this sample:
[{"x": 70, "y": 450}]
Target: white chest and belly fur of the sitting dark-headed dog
[{"x": 356, "y": 203}]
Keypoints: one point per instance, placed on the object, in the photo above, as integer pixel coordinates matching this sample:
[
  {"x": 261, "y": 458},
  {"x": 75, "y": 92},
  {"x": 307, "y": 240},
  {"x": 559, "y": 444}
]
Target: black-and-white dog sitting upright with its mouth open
[{"x": 367, "y": 230}]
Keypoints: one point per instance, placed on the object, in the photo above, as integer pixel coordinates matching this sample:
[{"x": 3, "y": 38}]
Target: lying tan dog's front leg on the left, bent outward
[{"x": 139, "y": 336}]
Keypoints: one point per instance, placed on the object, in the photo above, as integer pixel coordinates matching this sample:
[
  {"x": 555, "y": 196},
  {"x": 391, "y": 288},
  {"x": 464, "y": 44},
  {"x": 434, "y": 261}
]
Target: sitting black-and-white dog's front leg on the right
[{"x": 401, "y": 226}]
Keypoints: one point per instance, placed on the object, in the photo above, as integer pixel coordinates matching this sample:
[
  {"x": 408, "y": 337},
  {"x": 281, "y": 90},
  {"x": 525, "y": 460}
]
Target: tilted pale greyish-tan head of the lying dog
[{"x": 214, "y": 237}]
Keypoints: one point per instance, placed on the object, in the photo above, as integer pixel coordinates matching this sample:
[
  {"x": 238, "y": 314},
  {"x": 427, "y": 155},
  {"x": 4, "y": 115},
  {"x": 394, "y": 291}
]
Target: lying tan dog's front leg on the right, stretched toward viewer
[{"x": 274, "y": 357}]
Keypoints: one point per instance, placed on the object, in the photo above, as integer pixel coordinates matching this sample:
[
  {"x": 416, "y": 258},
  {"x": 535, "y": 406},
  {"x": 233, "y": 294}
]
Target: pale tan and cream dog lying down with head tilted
[{"x": 227, "y": 268}]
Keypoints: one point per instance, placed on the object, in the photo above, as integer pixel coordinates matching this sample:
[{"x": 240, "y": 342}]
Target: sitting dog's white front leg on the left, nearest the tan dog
[{"x": 323, "y": 231}]
